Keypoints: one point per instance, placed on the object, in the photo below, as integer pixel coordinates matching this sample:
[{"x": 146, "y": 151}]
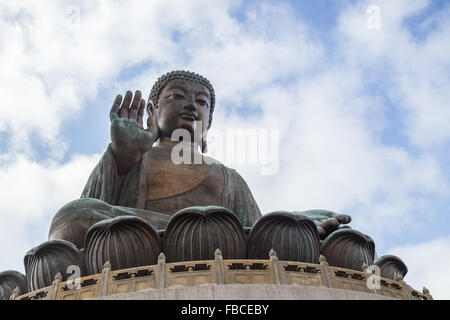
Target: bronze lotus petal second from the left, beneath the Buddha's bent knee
[{"x": 43, "y": 262}]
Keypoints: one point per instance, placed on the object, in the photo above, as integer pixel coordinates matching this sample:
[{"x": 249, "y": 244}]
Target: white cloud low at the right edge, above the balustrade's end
[{"x": 428, "y": 266}]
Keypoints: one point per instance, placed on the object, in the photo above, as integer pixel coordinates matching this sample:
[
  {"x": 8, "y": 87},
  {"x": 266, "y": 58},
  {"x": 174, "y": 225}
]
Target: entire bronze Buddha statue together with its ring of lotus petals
[{"x": 139, "y": 202}]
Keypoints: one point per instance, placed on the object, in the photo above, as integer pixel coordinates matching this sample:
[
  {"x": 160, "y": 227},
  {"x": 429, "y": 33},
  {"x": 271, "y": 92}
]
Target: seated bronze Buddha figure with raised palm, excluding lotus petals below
[{"x": 136, "y": 176}]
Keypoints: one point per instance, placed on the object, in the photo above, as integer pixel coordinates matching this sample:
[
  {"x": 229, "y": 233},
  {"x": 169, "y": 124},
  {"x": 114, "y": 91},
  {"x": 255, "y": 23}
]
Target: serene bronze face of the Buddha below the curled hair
[{"x": 180, "y": 103}]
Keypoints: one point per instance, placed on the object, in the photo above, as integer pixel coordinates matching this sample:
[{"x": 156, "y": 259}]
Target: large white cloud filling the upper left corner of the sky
[{"x": 50, "y": 68}]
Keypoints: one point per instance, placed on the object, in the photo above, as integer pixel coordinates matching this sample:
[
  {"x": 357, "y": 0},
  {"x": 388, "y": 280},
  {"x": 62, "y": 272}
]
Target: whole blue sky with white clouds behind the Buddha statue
[{"x": 363, "y": 114}]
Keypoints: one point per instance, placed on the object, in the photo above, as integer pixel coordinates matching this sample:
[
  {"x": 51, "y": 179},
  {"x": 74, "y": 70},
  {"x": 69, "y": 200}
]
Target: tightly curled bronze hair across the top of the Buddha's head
[{"x": 187, "y": 75}]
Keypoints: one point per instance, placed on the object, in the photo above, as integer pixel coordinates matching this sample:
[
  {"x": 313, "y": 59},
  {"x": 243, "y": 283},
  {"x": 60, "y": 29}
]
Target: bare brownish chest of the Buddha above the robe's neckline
[{"x": 164, "y": 178}]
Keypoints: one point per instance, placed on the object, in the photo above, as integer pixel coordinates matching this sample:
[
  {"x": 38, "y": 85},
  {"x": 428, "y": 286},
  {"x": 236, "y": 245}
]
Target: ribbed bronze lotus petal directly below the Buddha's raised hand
[{"x": 125, "y": 241}]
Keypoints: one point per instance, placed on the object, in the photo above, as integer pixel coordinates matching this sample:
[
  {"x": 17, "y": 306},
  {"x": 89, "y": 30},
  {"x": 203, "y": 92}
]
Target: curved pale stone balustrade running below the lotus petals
[{"x": 219, "y": 272}]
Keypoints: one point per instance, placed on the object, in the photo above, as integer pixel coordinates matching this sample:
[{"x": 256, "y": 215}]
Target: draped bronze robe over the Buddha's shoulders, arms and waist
[{"x": 222, "y": 186}]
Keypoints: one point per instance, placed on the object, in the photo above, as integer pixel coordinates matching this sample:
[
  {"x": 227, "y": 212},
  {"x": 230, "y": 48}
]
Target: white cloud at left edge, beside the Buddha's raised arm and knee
[{"x": 31, "y": 195}]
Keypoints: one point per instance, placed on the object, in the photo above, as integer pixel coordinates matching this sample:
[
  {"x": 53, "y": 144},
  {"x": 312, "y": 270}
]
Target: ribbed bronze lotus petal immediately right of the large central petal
[{"x": 292, "y": 235}]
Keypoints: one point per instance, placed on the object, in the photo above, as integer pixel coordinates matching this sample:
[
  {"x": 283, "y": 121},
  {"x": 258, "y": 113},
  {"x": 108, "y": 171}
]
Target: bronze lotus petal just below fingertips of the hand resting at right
[{"x": 347, "y": 248}]
